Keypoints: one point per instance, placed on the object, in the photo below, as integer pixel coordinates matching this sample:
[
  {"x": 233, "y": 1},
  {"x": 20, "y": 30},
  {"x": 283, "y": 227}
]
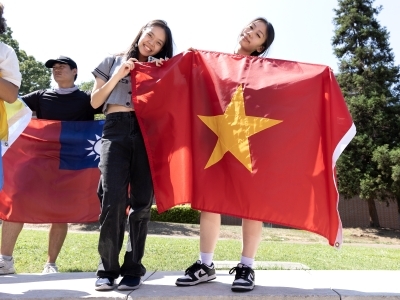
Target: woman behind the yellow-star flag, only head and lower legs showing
[{"x": 254, "y": 40}]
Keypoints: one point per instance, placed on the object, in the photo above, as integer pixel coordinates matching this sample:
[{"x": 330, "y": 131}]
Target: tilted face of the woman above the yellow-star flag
[{"x": 252, "y": 38}]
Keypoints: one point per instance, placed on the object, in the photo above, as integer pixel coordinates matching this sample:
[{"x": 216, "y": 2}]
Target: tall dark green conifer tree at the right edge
[{"x": 369, "y": 81}]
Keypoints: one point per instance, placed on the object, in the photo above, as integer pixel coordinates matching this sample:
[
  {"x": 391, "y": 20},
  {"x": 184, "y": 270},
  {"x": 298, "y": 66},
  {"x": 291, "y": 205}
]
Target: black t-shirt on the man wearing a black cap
[{"x": 69, "y": 107}]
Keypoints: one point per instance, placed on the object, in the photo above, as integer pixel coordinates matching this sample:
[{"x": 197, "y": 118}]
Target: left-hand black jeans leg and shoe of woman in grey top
[{"x": 114, "y": 166}]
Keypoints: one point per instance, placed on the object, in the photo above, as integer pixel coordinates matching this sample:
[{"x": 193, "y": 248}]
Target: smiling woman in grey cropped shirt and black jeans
[{"x": 125, "y": 172}]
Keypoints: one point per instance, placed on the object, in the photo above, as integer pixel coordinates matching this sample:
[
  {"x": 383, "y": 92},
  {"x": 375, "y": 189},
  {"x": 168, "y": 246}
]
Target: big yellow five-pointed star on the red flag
[{"x": 233, "y": 129}]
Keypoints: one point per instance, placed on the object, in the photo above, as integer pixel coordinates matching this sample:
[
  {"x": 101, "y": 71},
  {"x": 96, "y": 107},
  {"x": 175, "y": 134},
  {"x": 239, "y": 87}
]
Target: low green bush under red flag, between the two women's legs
[{"x": 177, "y": 214}]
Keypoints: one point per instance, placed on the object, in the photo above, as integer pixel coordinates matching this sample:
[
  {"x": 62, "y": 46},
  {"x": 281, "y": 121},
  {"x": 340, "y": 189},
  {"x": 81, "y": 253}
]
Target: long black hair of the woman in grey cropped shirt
[{"x": 166, "y": 51}]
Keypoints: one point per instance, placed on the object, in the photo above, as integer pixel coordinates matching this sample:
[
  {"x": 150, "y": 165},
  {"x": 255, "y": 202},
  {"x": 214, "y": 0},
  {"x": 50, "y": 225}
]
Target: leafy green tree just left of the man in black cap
[{"x": 35, "y": 75}]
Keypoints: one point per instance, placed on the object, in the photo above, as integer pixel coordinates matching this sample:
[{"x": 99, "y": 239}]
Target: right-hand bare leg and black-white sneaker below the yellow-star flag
[{"x": 245, "y": 277}]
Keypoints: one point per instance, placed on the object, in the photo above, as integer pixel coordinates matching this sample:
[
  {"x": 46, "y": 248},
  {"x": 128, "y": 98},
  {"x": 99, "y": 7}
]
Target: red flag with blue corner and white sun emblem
[{"x": 51, "y": 173}]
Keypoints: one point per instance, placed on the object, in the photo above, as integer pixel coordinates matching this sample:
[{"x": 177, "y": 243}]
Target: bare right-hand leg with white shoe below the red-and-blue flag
[{"x": 57, "y": 235}]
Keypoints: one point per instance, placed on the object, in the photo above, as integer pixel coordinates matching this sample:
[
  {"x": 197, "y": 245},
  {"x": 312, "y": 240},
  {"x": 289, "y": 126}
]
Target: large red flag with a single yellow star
[{"x": 250, "y": 137}]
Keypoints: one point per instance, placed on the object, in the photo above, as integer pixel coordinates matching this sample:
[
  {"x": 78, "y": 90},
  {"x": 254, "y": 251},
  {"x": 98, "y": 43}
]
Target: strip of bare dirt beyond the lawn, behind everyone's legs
[{"x": 367, "y": 236}]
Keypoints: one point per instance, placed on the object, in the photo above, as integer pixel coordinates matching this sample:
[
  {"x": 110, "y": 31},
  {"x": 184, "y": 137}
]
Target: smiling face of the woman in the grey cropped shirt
[{"x": 151, "y": 42}]
